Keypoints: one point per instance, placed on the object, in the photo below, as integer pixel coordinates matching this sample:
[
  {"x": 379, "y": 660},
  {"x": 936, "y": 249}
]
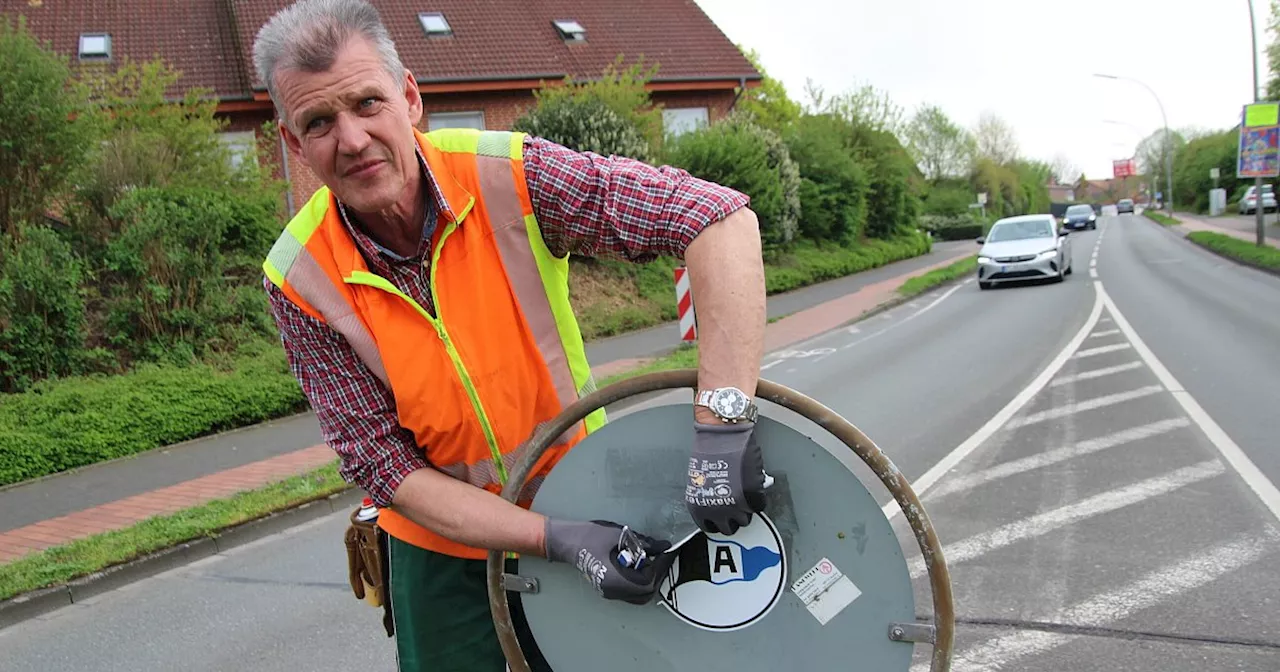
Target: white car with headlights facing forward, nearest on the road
[{"x": 1026, "y": 248}]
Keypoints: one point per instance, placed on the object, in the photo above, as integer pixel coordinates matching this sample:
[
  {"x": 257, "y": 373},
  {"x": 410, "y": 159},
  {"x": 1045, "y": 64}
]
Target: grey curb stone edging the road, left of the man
[{"x": 42, "y": 602}]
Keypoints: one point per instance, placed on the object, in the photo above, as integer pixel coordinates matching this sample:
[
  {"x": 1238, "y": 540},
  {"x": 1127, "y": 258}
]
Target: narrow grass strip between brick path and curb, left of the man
[{"x": 84, "y": 557}]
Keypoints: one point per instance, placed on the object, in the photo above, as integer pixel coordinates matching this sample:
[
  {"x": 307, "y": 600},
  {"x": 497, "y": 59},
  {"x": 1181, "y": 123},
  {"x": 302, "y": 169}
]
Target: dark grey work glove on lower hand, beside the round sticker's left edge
[{"x": 595, "y": 550}]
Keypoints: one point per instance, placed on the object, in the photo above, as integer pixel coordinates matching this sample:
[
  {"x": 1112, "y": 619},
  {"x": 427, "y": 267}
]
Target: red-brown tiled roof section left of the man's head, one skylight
[{"x": 196, "y": 39}]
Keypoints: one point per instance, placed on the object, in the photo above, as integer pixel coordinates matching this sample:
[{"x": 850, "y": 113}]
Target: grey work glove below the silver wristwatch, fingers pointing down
[{"x": 726, "y": 477}]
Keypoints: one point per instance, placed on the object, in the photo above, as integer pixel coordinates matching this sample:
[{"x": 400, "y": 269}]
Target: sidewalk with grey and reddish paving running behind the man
[{"x": 35, "y": 516}]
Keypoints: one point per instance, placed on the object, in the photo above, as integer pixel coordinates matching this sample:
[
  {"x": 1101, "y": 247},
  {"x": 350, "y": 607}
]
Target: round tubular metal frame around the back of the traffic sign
[{"x": 940, "y": 632}]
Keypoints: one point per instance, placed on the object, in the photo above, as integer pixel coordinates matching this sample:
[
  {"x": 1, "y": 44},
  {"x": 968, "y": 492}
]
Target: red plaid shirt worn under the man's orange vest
[{"x": 586, "y": 204}]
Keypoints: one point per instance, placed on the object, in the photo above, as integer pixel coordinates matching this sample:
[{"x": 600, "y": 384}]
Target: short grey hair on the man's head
[{"x": 308, "y": 35}]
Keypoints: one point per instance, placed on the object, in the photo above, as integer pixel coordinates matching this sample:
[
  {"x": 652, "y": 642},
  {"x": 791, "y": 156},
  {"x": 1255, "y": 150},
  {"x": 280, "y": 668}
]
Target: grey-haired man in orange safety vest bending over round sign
[{"x": 423, "y": 301}]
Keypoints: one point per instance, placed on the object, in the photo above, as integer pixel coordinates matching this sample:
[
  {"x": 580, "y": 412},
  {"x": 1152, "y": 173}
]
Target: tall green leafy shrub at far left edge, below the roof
[{"x": 43, "y": 134}]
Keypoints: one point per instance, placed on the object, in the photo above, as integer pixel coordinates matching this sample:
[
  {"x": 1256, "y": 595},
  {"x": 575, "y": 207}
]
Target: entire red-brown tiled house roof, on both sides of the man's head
[{"x": 211, "y": 42}]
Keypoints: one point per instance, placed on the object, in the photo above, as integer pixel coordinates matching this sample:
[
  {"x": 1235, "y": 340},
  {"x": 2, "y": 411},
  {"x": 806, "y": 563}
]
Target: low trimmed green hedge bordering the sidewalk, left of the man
[{"x": 77, "y": 422}]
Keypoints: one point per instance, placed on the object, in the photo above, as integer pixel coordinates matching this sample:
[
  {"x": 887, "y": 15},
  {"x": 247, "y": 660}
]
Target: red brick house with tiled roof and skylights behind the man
[{"x": 477, "y": 62}]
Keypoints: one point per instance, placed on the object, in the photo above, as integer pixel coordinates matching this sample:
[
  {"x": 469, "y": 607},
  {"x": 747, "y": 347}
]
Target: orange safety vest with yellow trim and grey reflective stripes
[{"x": 504, "y": 351}]
